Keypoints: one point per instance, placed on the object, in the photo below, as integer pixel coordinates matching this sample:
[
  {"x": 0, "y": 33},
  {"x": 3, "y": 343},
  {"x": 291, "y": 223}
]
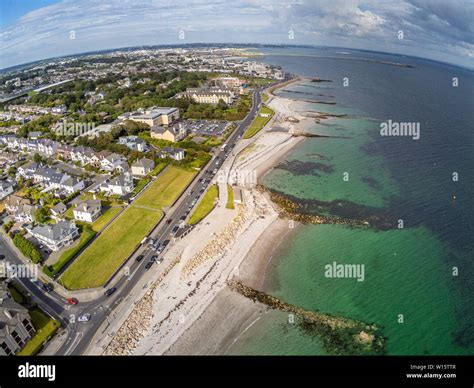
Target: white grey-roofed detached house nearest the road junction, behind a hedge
[{"x": 55, "y": 236}]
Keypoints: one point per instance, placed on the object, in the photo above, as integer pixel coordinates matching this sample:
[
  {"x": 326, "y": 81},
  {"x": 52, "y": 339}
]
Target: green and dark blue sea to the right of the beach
[{"x": 418, "y": 280}]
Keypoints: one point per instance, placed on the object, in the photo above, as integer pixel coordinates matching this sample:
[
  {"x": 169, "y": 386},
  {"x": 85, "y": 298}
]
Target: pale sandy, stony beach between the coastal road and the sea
[{"x": 191, "y": 310}]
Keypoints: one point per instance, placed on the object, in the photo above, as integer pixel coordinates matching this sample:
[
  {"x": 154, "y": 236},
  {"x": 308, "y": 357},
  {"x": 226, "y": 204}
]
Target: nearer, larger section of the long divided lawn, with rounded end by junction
[{"x": 102, "y": 258}]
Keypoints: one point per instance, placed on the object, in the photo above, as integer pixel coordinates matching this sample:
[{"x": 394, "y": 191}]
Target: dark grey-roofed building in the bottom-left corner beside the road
[{"x": 16, "y": 327}]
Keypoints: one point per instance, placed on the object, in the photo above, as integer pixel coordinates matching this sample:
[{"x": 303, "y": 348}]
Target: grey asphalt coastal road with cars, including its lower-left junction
[{"x": 80, "y": 334}]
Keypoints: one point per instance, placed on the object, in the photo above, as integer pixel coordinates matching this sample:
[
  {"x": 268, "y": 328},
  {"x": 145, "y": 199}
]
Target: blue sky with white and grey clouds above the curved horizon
[{"x": 38, "y": 29}]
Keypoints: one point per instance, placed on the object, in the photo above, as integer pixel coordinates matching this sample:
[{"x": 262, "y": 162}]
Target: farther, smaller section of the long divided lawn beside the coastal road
[{"x": 164, "y": 191}]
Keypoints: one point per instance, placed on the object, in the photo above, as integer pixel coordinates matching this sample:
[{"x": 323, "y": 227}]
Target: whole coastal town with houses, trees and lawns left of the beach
[{"x": 94, "y": 149}]
